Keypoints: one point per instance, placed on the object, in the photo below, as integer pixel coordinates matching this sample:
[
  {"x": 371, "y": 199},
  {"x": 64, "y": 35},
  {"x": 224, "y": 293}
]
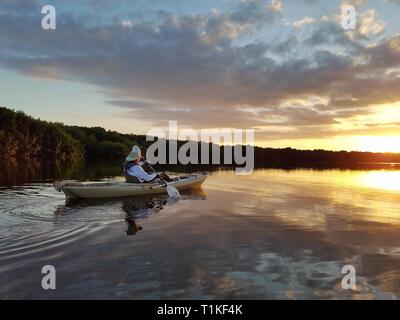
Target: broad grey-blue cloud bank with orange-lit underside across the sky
[{"x": 208, "y": 71}]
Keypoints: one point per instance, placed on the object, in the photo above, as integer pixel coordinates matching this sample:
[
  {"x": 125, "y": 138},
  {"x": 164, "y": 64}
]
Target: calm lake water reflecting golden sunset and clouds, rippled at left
[{"x": 274, "y": 235}]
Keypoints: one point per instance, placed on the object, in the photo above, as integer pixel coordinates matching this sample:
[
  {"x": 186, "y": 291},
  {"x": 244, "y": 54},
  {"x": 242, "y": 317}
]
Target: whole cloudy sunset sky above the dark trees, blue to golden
[{"x": 287, "y": 68}]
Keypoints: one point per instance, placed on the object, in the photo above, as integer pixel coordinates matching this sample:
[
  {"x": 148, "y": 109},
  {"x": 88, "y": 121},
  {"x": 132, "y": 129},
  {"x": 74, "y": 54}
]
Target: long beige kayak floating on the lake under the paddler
[{"x": 78, "y": 190}]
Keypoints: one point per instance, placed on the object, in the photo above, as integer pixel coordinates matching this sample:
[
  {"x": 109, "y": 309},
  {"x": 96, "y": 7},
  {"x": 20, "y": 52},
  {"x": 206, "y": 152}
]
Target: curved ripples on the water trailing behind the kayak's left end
[{"x": 35, "y": 218}]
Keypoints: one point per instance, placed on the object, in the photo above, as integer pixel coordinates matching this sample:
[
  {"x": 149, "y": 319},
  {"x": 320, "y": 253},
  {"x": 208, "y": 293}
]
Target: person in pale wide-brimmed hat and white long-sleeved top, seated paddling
[{"x": 133, "y": 168}]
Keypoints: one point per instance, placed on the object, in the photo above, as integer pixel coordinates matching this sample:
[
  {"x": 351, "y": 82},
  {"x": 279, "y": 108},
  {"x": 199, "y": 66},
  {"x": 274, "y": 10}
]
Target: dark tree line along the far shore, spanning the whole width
[{"x": 23, "y": 138}]
